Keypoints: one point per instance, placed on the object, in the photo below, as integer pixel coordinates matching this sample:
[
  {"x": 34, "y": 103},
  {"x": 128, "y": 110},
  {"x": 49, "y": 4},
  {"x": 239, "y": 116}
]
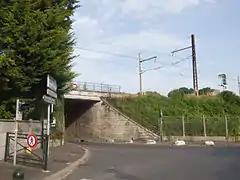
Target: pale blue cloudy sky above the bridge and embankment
[{"x": 111, "y": 33}]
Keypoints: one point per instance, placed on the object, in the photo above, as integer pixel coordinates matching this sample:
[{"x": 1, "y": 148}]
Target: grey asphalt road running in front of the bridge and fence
[{"x": 147, "y": 162}]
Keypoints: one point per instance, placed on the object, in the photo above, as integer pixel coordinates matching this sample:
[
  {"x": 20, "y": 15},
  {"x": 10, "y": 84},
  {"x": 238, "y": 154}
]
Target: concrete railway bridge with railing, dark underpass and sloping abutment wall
[{"x": 88, "y": 118}]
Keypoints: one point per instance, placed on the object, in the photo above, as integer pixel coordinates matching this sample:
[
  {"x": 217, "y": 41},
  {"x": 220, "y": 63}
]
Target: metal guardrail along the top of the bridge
[{"x": 96, "y": 87}]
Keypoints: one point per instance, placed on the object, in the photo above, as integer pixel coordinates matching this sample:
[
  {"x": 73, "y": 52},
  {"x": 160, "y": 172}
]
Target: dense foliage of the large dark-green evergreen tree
[{"x": 35, "y": 41}]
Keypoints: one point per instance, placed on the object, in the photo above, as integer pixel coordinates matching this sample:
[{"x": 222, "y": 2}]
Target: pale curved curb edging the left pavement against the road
[{"x": 63, "y": 173}]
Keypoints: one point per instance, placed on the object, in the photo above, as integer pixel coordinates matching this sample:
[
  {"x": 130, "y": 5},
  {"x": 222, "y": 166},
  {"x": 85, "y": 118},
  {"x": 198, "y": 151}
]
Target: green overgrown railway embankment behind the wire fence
[{"x": 145, "y": 110}]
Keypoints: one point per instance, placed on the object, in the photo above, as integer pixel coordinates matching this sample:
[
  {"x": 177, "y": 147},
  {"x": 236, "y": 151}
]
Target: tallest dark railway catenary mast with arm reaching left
[{"x": 194, "y": 63}]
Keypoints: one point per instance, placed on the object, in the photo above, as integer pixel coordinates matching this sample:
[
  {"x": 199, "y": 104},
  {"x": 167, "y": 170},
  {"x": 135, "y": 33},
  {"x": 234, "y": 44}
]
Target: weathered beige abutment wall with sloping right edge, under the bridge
[{"x": 103, "y": 122}]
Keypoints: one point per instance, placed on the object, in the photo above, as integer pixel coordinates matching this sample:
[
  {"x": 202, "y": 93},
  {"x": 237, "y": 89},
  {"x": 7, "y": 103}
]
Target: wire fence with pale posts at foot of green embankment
[{"x": 201, "y": 126}]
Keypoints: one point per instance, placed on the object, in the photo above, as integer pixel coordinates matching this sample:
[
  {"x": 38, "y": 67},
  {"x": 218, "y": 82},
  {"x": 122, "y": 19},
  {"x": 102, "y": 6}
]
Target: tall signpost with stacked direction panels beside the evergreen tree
[{"x": 50, "y": 98}]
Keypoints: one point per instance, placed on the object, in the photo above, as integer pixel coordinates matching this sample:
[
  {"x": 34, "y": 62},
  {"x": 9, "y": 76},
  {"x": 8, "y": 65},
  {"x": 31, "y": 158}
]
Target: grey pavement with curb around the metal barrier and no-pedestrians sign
[{"x": 61, "y": 158}]
